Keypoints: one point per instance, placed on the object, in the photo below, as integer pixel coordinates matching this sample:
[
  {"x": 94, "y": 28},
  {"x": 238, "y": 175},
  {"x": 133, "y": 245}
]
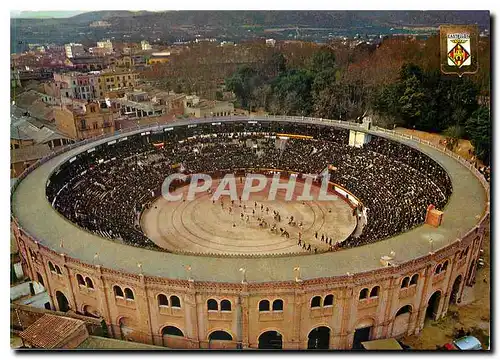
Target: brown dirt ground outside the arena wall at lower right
[{"x": 473, "y": 314}]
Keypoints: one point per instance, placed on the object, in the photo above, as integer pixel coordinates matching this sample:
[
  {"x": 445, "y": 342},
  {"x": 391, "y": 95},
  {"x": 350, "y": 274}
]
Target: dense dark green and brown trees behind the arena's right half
[{"x": 418, "y": 97}]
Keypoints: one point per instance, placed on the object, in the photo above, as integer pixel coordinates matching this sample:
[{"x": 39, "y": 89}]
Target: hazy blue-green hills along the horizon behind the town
[{"x": 170, "y": 26}]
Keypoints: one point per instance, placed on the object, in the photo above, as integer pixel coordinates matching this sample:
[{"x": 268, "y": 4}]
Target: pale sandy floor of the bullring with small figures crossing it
[{"x": 201, "y": 226}]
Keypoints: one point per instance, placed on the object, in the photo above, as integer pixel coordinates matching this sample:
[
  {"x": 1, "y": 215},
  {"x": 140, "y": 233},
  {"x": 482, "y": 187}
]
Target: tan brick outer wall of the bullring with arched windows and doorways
[{"x": 142, "y": 319}]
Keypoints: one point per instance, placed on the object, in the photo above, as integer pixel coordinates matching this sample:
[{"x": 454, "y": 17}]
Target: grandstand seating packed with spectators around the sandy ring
[{"x": 105, "y": 189}]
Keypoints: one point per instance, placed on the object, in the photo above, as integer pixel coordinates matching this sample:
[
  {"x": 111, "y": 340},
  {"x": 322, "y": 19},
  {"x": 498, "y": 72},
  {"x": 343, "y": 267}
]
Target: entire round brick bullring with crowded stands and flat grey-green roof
[{"x": 81, "y": 216}]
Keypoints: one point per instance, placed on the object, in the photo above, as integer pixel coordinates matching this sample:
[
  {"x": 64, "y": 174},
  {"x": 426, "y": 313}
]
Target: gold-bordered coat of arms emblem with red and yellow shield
[{"x": 458, "y": 49}]
